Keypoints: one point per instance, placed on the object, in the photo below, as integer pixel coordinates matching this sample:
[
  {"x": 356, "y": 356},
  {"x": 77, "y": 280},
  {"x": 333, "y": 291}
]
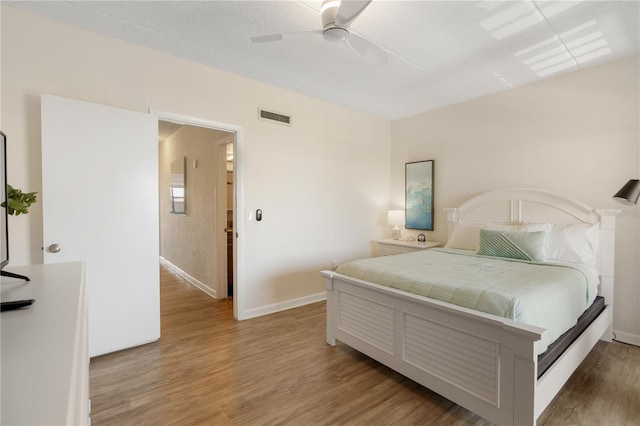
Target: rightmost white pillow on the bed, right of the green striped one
[{"x": 574, "y": 243}]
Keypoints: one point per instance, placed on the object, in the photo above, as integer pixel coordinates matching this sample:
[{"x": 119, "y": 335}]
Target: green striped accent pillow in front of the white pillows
[{"x": 513, "y": 245}]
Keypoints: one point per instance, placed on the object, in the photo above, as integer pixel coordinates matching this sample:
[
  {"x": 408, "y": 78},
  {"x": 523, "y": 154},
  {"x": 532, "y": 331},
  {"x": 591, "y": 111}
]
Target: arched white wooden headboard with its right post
[{"x": 526, "y": 205}]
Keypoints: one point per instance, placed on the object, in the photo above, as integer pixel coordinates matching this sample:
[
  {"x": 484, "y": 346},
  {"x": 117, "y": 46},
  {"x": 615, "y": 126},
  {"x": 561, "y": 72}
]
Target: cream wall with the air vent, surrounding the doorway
[{"x": 323, "y": 184}]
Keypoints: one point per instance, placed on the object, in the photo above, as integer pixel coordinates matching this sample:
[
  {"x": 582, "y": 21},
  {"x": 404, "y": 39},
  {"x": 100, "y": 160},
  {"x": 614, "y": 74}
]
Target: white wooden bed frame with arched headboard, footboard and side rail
[{"x": 482, "y": 362}]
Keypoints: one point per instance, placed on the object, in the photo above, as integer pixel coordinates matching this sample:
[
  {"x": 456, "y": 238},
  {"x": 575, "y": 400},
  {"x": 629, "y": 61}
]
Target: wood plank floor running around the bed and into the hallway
[{"x": 208, "y": 369}]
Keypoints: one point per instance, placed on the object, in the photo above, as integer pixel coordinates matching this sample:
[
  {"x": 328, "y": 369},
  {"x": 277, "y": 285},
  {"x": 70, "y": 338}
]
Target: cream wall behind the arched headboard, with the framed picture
[{"x": 577, "y": 135}]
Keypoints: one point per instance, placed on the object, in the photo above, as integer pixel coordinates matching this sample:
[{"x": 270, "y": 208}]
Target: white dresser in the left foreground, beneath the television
[{"x": 45, "y": 358}]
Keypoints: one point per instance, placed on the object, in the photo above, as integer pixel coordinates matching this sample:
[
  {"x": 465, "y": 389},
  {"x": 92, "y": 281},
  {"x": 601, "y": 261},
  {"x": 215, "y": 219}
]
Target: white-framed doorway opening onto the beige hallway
[{"x": 208, "y": 238}]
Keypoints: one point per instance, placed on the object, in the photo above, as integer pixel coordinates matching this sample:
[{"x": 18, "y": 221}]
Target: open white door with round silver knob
[{"x": 100, "y": 205}]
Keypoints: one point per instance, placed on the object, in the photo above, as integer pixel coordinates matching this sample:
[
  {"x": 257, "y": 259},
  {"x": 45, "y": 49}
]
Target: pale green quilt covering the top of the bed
[{"x": 547, "y": 295}]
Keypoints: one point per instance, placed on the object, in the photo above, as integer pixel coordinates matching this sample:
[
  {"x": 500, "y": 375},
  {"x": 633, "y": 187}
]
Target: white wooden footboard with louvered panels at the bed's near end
[{"x": 484, "y": 363}]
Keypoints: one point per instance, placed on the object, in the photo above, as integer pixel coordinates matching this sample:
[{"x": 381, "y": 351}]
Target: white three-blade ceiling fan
[{"x": 336, "y": 17}]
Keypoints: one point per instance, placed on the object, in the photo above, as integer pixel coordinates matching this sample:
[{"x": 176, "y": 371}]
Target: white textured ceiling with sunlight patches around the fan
[{"x": 440, "y": 52}]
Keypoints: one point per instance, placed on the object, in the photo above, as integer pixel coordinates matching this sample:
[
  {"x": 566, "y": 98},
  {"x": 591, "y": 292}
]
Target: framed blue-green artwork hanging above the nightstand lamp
[{"x": 419, "y": 195}]
